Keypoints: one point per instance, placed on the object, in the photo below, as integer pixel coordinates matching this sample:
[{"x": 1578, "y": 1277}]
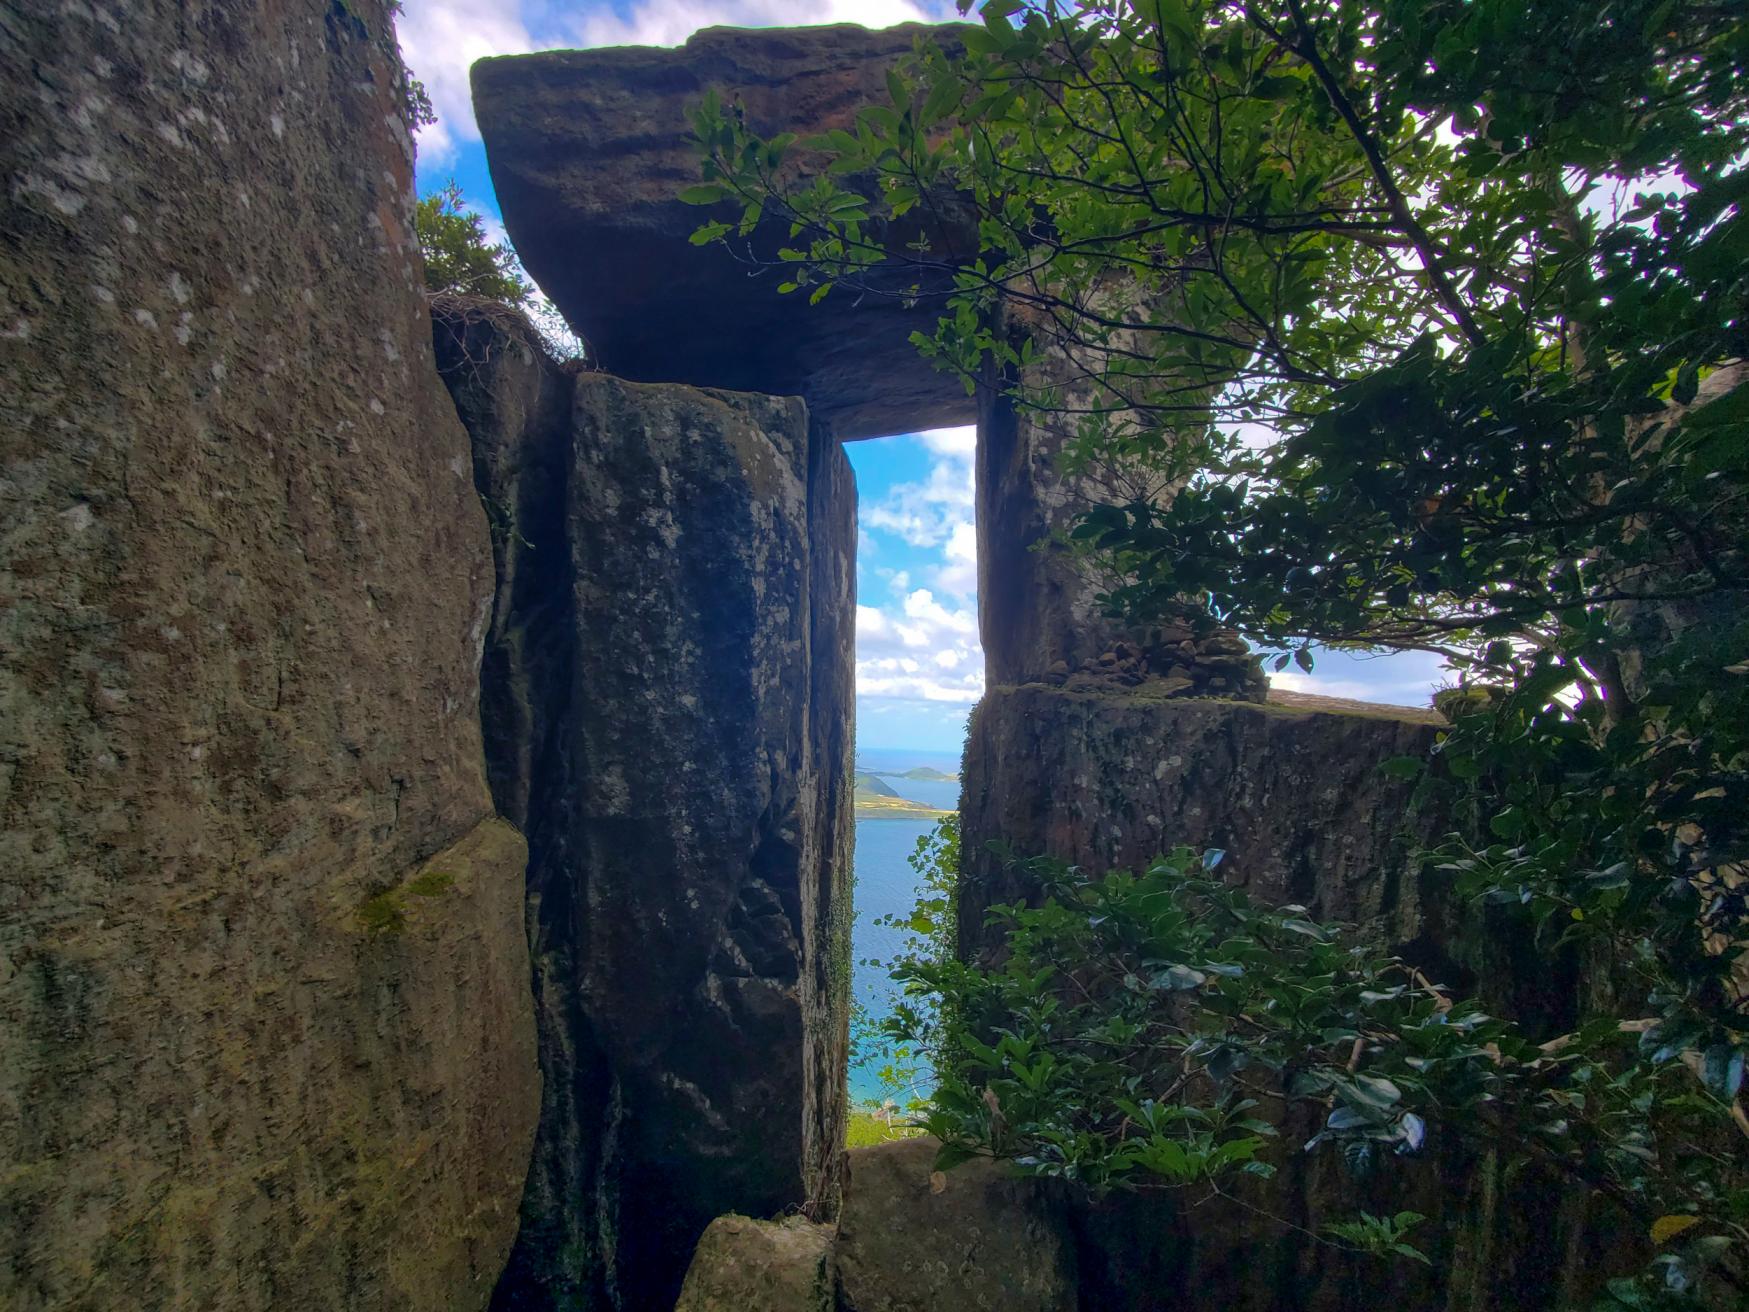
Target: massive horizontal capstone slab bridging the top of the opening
[{"x": 590, "y": 151}]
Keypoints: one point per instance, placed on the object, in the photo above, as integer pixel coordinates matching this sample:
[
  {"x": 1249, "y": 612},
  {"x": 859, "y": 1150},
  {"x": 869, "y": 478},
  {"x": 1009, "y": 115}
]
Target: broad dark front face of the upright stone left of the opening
[{"x": 688, "y": 519}]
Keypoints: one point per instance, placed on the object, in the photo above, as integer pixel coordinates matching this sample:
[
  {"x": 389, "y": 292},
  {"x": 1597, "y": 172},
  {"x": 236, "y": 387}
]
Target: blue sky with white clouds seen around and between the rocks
[{"x": 919, "y": 664}]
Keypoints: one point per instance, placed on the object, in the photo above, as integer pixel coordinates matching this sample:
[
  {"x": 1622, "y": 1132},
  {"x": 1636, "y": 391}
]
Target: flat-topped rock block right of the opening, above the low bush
[{"x": 1111, "y": 778}]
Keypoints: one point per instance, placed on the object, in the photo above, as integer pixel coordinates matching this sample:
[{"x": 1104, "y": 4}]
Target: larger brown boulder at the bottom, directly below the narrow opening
[{"x": 973, "y": 1238}]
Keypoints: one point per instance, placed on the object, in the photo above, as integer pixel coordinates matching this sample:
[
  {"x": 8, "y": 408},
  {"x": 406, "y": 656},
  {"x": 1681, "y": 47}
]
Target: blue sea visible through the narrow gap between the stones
[{"x": 888, "y": 886}]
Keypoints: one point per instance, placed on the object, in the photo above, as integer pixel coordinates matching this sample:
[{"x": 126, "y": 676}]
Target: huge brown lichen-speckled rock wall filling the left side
[{"x": 265, "y": 1024}]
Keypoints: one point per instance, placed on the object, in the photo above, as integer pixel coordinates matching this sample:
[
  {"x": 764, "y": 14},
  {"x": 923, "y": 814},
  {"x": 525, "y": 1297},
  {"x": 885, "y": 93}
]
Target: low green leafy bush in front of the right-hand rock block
[{"x": 1159, "y": 1031}]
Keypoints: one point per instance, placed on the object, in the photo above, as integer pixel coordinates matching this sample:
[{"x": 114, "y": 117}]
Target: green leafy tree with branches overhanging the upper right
[{"x": 1432, "y": 312}]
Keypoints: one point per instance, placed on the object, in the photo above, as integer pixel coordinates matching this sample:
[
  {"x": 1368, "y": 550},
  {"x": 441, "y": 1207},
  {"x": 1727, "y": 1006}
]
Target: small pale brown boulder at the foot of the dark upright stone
[{"x": 746, "y": 1266}]
